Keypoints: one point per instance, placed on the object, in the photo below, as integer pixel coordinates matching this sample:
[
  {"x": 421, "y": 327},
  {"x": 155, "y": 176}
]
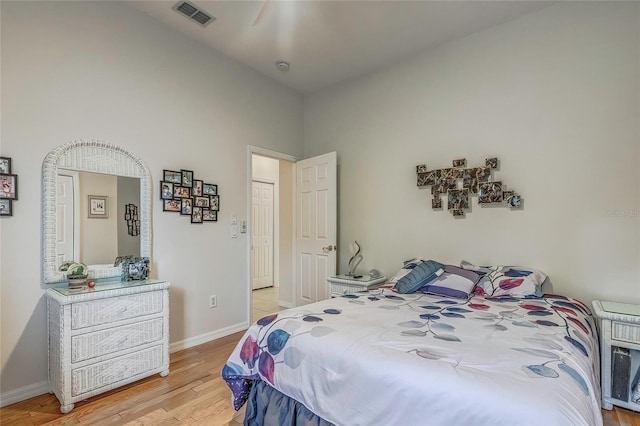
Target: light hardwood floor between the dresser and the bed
[{"x": 192, "y": 394}]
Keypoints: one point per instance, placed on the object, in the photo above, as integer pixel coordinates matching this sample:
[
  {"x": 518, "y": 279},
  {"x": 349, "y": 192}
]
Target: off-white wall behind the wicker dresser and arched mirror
[{"x": 105, "y": 70}]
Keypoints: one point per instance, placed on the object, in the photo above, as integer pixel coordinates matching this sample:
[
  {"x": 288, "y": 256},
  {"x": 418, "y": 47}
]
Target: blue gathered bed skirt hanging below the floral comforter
[{"x": 266, "y": 406}]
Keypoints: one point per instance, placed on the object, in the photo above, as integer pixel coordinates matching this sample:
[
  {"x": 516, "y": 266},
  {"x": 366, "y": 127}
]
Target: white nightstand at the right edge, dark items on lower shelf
[{"x": 619, "y": 334}]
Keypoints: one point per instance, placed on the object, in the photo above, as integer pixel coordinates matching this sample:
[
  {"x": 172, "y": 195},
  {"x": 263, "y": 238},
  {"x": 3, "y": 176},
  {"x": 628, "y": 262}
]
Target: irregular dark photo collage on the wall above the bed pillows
[{"x": 475, "y": 180}]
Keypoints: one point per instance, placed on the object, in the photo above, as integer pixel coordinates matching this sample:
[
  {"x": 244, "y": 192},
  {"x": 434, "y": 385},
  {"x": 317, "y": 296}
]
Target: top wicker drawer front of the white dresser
[{"x": 102, "y": 311}]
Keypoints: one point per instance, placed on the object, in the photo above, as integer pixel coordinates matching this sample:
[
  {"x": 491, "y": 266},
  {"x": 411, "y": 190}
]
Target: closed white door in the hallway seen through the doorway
[{"x": 262, "y": 234}]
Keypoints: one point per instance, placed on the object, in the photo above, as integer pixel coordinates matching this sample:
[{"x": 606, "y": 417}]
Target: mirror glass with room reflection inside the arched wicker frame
[{"x": 96, "y": 239}]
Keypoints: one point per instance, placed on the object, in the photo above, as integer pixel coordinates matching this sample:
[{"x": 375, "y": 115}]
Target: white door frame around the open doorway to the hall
[{"x": 256, "y": 150}]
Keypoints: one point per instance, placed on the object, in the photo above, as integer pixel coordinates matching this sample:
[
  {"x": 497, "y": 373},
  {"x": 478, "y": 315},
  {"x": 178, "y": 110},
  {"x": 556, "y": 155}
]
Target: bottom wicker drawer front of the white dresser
[{"x": 108, "y": 372}]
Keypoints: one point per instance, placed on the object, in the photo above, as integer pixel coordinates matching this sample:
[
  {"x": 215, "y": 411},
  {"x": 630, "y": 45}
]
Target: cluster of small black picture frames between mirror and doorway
[{"x": 181, "y": 193}]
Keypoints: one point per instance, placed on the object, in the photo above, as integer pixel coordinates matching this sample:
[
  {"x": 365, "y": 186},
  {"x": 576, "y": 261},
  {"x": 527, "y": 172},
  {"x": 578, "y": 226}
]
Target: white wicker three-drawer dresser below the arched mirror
[{"x": 106, "y": 337}]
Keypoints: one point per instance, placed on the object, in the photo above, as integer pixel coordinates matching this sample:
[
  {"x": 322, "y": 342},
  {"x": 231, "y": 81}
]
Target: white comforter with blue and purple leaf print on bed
[{"x": 414, "y": 359}]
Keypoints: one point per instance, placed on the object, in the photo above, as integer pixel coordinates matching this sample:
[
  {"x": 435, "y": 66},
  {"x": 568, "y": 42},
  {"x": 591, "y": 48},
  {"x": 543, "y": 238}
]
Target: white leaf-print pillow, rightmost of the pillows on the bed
[{"x": 515, "y": 281}]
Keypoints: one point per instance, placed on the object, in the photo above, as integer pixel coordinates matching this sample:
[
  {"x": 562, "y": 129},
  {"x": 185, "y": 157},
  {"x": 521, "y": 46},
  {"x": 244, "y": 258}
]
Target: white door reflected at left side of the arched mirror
[{"x": 66, "y": 210}]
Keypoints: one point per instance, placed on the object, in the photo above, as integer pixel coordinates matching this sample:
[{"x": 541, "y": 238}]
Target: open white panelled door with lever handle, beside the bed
[{"x": 316, "y": 233}]
